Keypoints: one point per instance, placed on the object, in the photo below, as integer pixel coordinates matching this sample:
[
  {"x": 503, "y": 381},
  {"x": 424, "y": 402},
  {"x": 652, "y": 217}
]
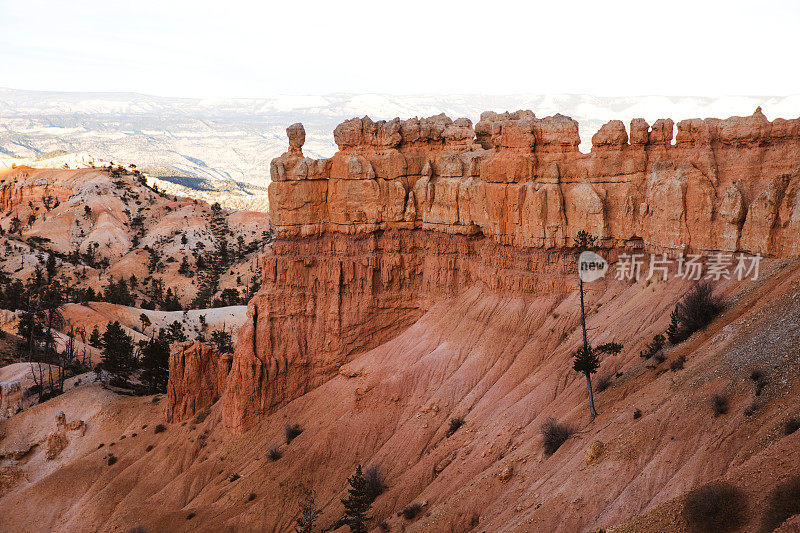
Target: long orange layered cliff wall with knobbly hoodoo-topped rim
[{"x": 409, "y": 212}]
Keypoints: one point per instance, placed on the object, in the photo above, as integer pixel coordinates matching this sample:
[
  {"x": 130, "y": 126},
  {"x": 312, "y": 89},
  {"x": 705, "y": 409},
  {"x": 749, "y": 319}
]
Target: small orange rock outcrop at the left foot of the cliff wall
[{"x": 197, "y": 375}]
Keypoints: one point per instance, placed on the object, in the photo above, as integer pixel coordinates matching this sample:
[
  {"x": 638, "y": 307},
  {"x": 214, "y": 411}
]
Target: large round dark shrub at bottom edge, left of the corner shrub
[{"x": 717, "y": 507}]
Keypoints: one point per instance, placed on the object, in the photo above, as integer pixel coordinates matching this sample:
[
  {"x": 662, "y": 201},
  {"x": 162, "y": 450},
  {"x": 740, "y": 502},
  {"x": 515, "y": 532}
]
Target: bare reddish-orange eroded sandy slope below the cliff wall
[{"x": 503, "y": 364}]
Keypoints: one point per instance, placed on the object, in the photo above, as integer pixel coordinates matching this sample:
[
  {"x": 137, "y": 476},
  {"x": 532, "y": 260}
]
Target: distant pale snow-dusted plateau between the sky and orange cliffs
[{"x": 222, "y": 147}]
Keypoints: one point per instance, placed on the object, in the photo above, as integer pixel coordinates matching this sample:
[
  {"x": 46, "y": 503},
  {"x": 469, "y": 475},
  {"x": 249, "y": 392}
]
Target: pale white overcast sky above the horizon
[{"x": 234, "y": 48}]
